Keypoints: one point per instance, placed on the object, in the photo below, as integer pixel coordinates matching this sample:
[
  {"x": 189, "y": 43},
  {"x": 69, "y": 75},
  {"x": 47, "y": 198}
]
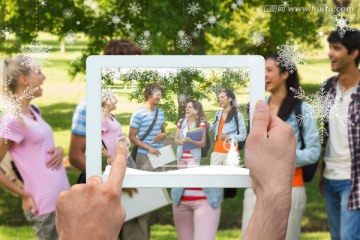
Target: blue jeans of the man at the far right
[{"x": 343, "y": 224}]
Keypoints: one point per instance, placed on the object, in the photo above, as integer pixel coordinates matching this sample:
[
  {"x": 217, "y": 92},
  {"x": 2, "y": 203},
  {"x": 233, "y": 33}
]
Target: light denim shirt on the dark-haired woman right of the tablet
[{"x": 311, "y": 153}]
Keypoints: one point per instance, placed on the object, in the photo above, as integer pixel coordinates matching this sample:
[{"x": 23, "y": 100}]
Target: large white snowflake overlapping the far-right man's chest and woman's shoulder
[{"x": 320, "y": 105}]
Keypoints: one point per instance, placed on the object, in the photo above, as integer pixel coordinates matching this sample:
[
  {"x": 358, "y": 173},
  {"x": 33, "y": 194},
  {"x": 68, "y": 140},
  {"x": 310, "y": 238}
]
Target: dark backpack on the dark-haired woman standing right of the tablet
[{"x": 308, "y": 170}]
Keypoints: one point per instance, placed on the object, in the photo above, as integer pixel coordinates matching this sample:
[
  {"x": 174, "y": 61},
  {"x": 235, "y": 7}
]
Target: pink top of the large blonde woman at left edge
[{"x": 29, "y": 150}]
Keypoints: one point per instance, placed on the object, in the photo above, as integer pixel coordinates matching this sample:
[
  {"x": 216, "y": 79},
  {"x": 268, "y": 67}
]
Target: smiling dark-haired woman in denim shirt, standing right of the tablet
[{"x": 282, "y": 102}]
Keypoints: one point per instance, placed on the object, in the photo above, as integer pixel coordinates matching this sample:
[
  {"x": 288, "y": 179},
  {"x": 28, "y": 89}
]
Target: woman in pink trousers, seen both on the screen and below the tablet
[{"x": 196, "y": 210}]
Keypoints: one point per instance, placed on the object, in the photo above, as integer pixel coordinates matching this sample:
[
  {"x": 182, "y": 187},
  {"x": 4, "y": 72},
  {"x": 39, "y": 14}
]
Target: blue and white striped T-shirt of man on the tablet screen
[{"x": 141, "y": 120}]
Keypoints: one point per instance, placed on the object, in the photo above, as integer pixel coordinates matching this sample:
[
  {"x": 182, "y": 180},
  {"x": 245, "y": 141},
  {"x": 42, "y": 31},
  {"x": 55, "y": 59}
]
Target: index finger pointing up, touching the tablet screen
[{"x": 118, "y": 168}]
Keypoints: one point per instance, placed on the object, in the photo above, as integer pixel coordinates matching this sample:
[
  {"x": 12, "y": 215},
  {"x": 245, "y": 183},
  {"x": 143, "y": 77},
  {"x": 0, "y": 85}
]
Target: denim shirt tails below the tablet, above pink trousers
[{"x": 214, "y": 196}]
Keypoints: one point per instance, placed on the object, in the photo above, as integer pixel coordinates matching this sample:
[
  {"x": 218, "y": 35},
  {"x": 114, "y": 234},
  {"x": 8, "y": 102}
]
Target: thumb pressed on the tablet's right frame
[{"x": 261, "y": 119}]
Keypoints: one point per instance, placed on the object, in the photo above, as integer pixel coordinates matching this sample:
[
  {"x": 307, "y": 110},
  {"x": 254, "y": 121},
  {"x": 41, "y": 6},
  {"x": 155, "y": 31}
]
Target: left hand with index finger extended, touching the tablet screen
[{"x": 94, "y": 210}]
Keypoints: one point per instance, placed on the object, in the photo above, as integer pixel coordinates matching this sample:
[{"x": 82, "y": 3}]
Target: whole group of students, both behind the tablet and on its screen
[{"x": 196, "y": 211}]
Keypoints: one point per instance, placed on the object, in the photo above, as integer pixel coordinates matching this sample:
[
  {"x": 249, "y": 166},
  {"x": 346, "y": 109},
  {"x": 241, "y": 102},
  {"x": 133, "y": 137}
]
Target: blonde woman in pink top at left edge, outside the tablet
[{"x": 30, "y": 141}]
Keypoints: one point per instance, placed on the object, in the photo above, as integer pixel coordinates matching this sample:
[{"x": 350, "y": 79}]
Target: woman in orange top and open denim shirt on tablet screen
[{"x": 228, "y": 127}]
